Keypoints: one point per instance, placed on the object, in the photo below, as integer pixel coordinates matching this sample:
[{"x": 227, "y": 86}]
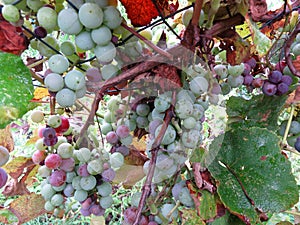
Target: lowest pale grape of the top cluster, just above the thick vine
[{"x": 105, "y": 53}]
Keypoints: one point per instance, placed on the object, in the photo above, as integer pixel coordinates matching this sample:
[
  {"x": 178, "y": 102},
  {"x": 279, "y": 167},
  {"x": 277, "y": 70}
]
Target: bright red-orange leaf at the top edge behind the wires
[{"x": 141, "y": 12}]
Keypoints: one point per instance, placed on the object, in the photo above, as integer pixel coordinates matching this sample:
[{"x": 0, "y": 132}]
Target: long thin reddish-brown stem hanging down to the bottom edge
[{"x": 154, "y": 150}]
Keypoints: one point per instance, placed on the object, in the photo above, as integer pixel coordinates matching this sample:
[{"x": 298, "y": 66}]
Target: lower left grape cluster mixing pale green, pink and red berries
[{"x": 80, "y": 174}]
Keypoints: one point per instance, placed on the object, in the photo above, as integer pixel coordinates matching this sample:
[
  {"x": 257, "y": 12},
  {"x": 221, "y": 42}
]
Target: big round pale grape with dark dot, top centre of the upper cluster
[{"x": 90, "y": 15}]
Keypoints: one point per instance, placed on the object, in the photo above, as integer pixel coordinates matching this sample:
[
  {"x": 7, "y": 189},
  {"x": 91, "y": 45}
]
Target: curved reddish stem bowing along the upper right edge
[{"x": 287, "y": 50}]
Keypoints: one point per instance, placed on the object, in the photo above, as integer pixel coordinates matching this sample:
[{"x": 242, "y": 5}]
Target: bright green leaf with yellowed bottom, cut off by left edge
[{"x": 16, "y": 88}]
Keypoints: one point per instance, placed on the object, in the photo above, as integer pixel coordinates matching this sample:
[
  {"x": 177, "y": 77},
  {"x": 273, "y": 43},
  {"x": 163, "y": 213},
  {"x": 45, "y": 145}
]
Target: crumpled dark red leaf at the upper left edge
[{"x": 11, "y": 40}]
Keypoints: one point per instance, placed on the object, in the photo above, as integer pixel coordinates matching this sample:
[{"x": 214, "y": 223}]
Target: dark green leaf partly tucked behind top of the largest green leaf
[{"x": 260, "y": 111}]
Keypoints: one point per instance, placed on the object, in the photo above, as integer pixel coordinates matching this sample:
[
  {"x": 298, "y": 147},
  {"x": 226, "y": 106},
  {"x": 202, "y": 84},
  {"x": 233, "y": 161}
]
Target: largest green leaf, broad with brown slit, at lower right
[{"x": 252, "y": 175}]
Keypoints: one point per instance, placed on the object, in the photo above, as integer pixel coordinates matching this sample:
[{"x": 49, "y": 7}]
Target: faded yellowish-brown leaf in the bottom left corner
[{"x": 28, "y": 207}]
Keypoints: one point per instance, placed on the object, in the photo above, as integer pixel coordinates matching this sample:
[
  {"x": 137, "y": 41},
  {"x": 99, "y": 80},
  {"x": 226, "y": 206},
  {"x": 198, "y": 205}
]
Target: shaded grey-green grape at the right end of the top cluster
[{"x": 112, "y": 17}]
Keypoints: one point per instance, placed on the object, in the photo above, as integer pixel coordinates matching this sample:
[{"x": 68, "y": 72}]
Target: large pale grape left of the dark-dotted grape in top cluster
[{"x": 68, "y": 21}]
